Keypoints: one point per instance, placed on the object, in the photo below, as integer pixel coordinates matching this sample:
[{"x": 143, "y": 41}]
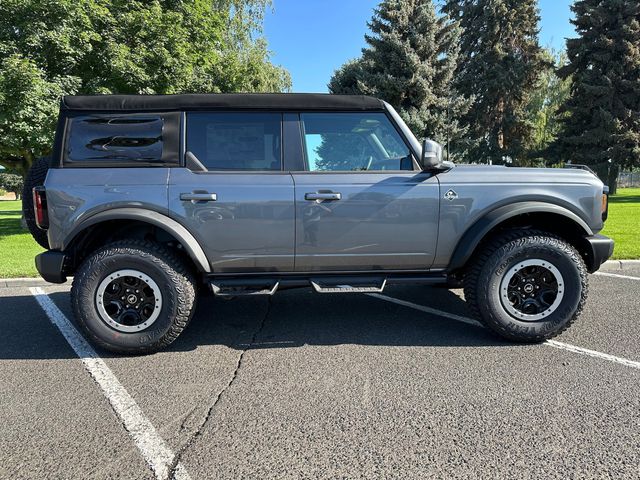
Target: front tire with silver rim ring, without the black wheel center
[{"x": 502, "y": 254}]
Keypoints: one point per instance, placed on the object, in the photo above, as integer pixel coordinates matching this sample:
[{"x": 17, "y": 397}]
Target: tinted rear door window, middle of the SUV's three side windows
[{"x": 235, "y": 141}]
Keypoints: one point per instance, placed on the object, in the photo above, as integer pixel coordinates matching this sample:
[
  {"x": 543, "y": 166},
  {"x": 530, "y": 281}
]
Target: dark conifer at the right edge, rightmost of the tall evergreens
[{"x": 603, "y": 123}]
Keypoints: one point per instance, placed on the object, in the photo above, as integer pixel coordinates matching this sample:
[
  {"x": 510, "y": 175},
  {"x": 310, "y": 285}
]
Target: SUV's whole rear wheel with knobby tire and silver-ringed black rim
[{"x": 119, "y": 325}]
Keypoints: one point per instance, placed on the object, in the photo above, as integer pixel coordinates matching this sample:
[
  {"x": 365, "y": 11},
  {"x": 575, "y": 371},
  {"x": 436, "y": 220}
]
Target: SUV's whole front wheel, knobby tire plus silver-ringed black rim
[{"x": 527, "y": 286}]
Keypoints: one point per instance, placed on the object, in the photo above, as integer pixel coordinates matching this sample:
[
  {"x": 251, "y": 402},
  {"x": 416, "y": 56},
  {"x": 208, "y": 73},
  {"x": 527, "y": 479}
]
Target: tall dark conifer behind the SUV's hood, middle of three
[{"x": 501, "y": 63}]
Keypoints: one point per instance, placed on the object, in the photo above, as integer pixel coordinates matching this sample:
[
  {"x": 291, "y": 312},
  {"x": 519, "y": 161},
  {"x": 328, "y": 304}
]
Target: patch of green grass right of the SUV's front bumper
[{"x": 623, "y": 224}]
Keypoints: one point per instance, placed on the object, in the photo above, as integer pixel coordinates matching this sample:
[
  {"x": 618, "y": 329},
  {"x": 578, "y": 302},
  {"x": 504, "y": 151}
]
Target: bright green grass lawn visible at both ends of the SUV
[{"x": 17, "y": 248}]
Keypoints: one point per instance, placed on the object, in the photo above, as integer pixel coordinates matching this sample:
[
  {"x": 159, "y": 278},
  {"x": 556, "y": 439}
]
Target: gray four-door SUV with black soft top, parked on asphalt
[{"x": 147, "y": 198}]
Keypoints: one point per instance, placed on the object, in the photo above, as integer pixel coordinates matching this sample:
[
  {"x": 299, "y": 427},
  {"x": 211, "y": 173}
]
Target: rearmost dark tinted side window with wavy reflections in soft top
[{"x": 115, "y": 139}]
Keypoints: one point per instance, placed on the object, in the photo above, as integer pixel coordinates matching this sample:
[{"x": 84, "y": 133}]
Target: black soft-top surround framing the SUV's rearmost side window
[{"x": 170, "y": 141}]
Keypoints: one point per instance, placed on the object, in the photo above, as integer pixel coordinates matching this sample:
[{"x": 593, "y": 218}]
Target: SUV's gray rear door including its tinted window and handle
[{"x": 241, "y": 209}]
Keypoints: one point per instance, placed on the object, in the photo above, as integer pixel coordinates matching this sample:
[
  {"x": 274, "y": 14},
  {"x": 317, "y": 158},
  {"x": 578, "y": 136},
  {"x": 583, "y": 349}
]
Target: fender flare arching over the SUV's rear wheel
[{"x": 151, "y": 217}]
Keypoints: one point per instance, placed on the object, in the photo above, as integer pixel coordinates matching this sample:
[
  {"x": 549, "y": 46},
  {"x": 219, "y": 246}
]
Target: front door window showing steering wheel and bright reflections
[{"x": 354, "y": 142}]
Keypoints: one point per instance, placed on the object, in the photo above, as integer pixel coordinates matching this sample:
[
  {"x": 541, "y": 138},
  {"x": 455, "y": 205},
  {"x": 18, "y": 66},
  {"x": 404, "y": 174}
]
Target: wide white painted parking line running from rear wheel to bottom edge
[{"x": 154, "y": 450}]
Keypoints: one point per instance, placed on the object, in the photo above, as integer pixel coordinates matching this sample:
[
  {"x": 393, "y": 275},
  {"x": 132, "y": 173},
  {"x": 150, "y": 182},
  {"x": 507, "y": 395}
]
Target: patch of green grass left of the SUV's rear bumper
[{"x": 17, "y": 248}]
